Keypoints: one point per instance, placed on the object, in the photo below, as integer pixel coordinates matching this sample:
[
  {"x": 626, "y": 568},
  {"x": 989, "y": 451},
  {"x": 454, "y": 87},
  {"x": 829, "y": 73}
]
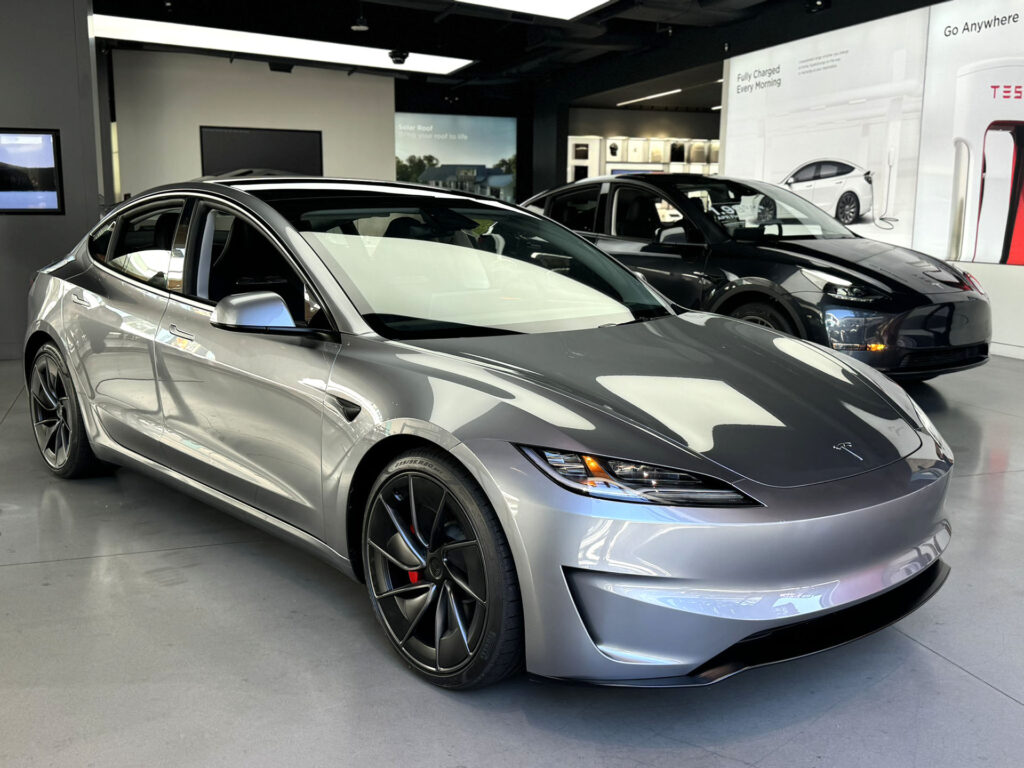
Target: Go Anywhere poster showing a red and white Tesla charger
[{"x": 971, "y": 185}]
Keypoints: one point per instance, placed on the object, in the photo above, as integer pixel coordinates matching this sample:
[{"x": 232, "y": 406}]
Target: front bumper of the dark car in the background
[{"x": 927, "y": 340}]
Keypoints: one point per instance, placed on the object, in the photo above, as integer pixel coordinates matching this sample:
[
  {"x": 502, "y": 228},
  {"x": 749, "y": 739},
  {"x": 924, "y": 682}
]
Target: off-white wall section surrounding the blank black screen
[{"x": 162, "y": 100}]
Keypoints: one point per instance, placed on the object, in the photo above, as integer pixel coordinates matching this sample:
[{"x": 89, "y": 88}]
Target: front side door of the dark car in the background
[{"x": 634, "y": 219}]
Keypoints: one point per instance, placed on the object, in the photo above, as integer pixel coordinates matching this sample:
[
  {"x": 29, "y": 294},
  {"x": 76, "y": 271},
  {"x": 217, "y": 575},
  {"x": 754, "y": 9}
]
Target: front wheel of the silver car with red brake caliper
[{"x": 440, "y": 573}]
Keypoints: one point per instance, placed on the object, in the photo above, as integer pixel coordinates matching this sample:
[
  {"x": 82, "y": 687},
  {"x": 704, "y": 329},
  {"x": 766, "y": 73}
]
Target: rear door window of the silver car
[{"x": 145, "y": 246}]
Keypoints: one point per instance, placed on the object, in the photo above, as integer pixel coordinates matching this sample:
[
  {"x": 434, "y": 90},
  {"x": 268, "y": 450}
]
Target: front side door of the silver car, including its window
[{"x": 243, "y": 412}]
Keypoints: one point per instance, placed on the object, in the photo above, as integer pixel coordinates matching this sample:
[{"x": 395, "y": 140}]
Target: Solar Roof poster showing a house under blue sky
[{"x": 457, "y": 152}]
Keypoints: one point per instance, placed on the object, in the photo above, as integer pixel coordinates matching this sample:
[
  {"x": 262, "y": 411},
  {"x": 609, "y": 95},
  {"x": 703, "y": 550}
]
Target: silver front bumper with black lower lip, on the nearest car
[{"x": 633, "y": 594}]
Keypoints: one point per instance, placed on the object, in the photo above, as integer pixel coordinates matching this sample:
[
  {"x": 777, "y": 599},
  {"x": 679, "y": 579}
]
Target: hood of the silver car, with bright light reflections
[{"x": 771, "y": 408}]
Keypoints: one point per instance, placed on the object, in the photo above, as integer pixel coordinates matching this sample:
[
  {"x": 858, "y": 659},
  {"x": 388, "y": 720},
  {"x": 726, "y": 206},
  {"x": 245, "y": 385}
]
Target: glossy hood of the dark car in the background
[{"x": 881, "y": 261}]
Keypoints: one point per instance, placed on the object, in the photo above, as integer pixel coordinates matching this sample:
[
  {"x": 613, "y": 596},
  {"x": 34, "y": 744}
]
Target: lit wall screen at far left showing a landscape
[{"x": 30, "y": 172}]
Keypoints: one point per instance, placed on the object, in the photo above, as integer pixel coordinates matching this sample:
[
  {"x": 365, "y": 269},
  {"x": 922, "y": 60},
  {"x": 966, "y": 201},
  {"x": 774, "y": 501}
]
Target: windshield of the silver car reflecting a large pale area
[{"x": 433, "y": 266}]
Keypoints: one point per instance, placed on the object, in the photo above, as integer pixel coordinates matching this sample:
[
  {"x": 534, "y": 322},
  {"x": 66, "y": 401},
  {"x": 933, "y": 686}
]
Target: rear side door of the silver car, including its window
[{"x": 112, "y": 315}]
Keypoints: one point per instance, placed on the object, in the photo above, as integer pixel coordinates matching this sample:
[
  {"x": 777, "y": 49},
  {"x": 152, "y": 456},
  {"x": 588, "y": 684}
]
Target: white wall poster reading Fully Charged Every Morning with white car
[{"x": 835, "y": 118}]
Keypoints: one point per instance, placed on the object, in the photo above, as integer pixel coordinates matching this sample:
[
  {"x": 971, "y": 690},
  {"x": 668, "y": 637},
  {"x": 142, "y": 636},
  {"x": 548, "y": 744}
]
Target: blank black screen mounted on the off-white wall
[{"x": 227, "y": 150}]
